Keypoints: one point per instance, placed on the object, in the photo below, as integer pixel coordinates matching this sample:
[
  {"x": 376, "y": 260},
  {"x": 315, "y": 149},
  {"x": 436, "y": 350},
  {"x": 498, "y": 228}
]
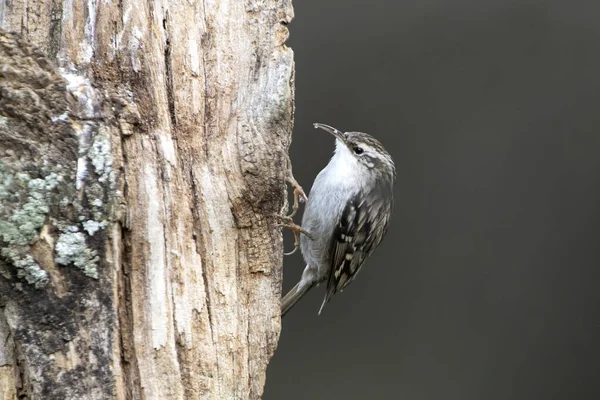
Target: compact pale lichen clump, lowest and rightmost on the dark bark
[{"x": 71, "y": 248}]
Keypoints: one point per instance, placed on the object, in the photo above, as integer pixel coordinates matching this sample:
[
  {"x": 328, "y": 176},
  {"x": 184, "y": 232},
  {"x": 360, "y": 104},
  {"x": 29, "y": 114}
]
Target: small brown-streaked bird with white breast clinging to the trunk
[{"x": 346, "y": 215}]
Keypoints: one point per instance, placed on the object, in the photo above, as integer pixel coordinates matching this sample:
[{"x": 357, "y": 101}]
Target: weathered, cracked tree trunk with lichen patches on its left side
[{"x": 143, "y": 157}]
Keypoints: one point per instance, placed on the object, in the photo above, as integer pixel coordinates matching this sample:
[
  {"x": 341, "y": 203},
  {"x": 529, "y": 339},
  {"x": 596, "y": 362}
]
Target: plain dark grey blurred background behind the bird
[{"x": 486, "y": 284}]
